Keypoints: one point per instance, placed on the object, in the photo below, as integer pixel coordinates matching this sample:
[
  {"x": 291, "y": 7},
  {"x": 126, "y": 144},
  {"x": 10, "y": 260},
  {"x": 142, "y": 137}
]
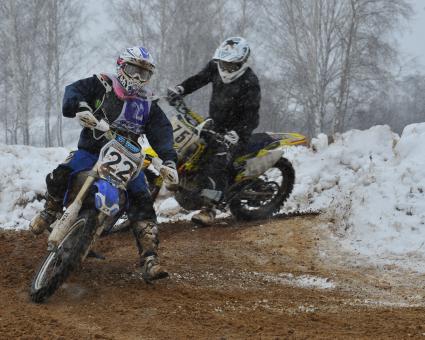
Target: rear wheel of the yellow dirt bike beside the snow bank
[{"x": 265, "y": 195}]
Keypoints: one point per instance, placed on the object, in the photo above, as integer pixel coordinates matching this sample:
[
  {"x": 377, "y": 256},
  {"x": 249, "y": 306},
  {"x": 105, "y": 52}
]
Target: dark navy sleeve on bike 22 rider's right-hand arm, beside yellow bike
[{"x": 159, "y": 132}]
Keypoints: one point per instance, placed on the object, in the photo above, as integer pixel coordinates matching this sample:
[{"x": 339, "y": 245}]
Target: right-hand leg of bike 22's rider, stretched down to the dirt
[{"x": 142, "y": 218}]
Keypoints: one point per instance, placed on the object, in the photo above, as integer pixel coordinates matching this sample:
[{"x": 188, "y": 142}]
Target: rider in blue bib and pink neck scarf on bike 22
[{"x": 128, "y": 105}]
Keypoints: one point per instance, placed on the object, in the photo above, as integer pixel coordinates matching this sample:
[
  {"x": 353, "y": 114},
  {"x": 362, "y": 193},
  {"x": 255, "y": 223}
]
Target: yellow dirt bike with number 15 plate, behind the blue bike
[{"x": 259, "y": 181}]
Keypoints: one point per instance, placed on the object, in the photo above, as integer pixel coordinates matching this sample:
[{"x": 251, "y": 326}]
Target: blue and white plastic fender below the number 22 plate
[{"x": 107, "y": 197}]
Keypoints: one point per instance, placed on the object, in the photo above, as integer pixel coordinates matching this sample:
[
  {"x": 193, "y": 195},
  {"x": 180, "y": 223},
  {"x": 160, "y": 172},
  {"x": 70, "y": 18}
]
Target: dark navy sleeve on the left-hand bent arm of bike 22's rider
[{"x": 84, "y": 90}]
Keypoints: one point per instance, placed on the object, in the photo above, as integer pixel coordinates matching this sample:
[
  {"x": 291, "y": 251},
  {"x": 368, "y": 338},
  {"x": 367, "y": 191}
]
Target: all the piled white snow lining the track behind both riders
[{"x": 371, "y": 185}]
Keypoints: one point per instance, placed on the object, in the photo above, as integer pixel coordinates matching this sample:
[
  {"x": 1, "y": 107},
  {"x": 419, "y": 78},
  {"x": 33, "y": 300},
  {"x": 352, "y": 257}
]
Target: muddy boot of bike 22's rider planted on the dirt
[{"x": 146, "y": 234}]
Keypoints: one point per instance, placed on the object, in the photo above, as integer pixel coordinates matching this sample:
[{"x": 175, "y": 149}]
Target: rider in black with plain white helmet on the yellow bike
[{"x": 233, "y": 107}]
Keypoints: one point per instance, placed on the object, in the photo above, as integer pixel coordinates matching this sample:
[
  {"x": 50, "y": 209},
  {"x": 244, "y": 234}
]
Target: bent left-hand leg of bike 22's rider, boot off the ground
[{"x": 57, "y": 184}]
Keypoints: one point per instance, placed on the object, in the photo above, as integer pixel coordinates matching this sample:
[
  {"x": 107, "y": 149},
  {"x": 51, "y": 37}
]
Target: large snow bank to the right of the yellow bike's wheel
[{"x": 371, "y": 184}]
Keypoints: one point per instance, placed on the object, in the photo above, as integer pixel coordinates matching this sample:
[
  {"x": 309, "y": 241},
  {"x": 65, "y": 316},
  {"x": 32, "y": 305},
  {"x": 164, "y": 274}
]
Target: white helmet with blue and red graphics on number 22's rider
[{"x": 135, "y": 67}]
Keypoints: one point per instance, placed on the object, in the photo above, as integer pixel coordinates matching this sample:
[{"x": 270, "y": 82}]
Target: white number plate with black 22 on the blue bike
[{"x": 116, "y": 165}]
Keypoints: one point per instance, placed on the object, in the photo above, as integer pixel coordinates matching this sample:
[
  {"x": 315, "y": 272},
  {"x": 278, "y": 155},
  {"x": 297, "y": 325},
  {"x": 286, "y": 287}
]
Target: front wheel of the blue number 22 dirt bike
[{"x": 58, "y": 264}]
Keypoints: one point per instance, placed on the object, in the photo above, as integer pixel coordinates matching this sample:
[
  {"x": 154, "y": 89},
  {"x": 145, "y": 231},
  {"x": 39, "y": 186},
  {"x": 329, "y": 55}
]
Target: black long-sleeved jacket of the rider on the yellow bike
[{"x": 233, "y": 106}]
